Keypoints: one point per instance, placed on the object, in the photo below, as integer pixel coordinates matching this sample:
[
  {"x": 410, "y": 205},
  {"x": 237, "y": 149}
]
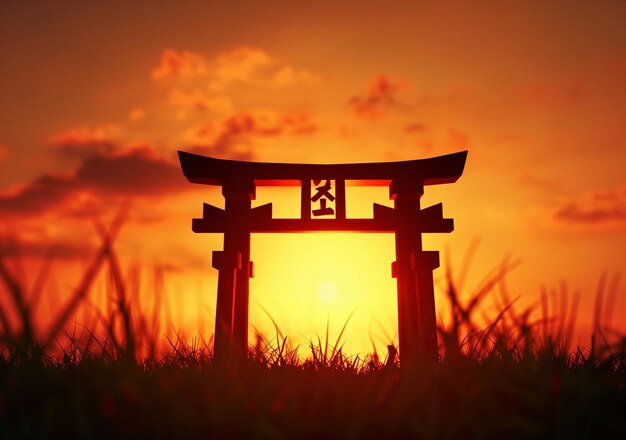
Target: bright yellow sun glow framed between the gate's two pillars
[{"x": 304, "y": 282}]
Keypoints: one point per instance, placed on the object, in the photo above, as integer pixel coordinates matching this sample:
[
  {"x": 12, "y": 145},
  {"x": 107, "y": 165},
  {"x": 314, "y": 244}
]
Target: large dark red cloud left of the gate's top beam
[{"x": 127, "y": 172}]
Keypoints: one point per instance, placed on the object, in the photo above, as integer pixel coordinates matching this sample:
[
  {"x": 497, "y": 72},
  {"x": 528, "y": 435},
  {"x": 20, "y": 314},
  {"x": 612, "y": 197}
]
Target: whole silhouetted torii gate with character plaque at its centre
[{"x": 325, "y": 210}]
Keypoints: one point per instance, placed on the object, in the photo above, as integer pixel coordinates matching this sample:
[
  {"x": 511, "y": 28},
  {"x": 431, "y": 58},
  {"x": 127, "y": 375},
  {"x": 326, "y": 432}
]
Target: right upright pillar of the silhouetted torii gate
[{"x": 413, "y": 269}]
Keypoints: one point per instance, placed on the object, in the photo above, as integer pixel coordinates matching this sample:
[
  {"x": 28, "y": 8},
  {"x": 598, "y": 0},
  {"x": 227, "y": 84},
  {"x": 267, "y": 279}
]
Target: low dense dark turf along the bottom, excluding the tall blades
[{"x": 95, "y": 395}]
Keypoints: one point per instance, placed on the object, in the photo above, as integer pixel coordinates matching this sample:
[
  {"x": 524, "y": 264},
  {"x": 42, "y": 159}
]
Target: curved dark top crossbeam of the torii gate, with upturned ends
[{"x": 431, "y": 171}]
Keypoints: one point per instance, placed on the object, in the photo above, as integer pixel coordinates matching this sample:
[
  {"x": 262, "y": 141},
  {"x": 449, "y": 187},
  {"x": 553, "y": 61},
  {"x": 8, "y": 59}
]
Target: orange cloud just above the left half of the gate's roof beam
[{"x": 231, "y": 137}]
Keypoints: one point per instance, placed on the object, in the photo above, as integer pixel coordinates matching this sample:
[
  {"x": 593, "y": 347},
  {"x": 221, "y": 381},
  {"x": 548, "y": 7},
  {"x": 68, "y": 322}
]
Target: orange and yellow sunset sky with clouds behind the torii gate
[{"x": 97, "y": 97}]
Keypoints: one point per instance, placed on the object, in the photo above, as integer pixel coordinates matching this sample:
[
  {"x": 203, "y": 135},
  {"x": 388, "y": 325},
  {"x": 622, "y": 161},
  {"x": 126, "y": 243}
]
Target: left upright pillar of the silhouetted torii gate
[{"x": 235, "y": 270}]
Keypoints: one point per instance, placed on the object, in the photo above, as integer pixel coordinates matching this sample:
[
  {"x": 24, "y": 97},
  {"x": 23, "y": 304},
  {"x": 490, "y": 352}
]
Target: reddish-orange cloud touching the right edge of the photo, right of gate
[{"x": 595, "y": 209}]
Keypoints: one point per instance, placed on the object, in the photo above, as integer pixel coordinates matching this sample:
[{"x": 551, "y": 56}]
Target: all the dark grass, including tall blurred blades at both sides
[{"x": 514, "y": 377}]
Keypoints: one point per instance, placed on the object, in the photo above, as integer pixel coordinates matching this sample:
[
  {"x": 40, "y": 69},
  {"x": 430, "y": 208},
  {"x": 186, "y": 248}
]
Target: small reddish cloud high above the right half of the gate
[{"x": 381, "y": 95}]
